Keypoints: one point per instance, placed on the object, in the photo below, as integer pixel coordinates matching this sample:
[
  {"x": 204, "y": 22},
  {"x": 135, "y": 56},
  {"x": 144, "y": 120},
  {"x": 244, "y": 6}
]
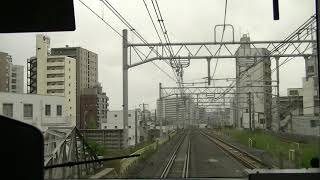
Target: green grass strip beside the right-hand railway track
[{"x": 274, "y": 145}]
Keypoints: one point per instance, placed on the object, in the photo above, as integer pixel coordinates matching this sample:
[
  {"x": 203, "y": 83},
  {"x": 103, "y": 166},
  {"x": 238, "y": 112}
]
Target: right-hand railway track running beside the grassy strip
[{"x": 244, "y": 158}]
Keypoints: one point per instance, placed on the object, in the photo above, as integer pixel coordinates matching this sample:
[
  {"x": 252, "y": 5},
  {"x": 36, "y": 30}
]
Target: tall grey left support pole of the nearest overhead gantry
[{"x": 125, "y": 80}]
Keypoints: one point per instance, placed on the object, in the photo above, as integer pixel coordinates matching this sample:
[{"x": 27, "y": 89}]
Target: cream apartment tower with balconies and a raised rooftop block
[{"x": 53, "y": 75}]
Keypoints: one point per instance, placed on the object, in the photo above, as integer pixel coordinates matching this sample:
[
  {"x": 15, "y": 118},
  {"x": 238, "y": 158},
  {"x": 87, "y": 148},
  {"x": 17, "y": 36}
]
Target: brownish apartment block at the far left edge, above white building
[{"x": 11, "y": 76}]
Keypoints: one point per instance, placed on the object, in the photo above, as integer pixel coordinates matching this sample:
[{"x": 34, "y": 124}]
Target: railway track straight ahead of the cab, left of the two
[{"x": 176, "y": 168}]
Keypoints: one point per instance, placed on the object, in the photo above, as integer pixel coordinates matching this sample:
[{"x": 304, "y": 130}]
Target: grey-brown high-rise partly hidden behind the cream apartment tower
[{"x": 87, "y": 69}]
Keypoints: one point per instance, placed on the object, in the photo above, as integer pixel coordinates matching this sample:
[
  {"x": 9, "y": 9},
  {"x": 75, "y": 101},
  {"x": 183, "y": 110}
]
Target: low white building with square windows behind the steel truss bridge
[{"x": 41, "y": 111}]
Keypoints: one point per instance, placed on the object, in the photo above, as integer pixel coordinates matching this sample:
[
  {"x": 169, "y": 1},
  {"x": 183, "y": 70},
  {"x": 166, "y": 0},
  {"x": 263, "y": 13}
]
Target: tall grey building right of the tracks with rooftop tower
[{"x": 257, "y": 80}]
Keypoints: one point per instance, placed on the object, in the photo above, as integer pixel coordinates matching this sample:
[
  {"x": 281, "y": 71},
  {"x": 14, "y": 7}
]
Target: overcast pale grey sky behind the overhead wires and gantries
[{"x": 186, "y": 20}]
